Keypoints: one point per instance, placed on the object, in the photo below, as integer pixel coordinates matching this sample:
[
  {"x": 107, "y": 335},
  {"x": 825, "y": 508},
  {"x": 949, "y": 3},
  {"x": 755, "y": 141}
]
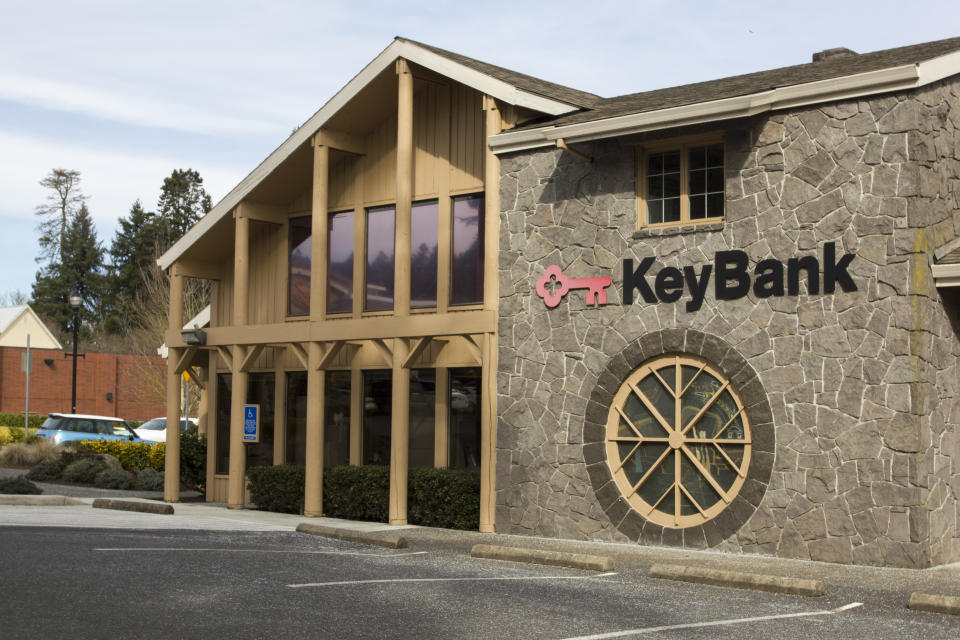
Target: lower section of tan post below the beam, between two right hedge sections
[{"x": 399, "y": 434}]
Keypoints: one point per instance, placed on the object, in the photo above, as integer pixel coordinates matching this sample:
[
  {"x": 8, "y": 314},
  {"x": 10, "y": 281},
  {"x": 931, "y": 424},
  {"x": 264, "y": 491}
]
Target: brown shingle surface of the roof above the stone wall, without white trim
[{"x": 757, "y": 82}]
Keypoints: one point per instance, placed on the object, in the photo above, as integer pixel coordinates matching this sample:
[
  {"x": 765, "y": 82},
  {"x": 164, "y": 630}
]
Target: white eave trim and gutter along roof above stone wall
[{"x": 901, "y": 77}]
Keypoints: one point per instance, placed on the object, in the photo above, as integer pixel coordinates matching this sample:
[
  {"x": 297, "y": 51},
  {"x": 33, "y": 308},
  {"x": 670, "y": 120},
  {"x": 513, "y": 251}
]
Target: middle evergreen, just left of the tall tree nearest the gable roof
[{"x": 132, "y": 254}]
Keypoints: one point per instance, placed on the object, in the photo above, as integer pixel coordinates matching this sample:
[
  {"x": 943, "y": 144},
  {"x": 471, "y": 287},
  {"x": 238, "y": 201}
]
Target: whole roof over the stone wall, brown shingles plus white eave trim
[{"x": 834, "y": 78}]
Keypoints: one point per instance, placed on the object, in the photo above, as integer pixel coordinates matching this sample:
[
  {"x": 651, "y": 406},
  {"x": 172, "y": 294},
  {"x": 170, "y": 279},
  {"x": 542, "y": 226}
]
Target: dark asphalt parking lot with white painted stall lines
[{"x": 69, "y": 582}]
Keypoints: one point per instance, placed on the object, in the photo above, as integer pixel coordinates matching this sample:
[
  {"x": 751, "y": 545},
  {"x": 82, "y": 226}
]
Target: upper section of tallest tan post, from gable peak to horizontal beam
[{"x": 401, "y": 278}]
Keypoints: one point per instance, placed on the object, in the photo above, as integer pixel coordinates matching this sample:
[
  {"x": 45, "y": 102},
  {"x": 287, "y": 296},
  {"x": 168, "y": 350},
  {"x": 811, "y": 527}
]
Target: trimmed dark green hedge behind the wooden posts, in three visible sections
[{"x": 448, "y": 498}]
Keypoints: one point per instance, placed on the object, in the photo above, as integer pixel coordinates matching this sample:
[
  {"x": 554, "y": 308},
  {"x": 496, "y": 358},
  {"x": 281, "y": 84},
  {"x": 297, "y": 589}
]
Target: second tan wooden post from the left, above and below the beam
[{"x": 236, "y": 488}]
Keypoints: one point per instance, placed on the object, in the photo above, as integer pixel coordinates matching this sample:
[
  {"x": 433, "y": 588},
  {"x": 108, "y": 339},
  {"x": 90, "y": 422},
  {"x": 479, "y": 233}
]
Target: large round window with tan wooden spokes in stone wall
[{"x": 678, "y": 441}]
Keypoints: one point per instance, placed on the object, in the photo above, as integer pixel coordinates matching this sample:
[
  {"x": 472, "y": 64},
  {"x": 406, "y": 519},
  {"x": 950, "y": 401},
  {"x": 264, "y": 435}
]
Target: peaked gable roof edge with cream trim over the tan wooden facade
[{"x": 505, "y": 85}]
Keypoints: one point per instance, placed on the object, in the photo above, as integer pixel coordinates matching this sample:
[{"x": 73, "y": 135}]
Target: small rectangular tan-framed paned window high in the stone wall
[{"x": 678, "y": 183}]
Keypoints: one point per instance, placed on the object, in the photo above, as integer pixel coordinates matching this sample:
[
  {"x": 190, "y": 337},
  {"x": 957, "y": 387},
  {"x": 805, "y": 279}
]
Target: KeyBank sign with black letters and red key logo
[{"x": 730, "y": 273}]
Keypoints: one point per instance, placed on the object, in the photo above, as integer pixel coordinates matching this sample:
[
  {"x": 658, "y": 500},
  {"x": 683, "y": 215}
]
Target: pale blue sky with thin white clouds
[{"x": 127, "y": 91}]
